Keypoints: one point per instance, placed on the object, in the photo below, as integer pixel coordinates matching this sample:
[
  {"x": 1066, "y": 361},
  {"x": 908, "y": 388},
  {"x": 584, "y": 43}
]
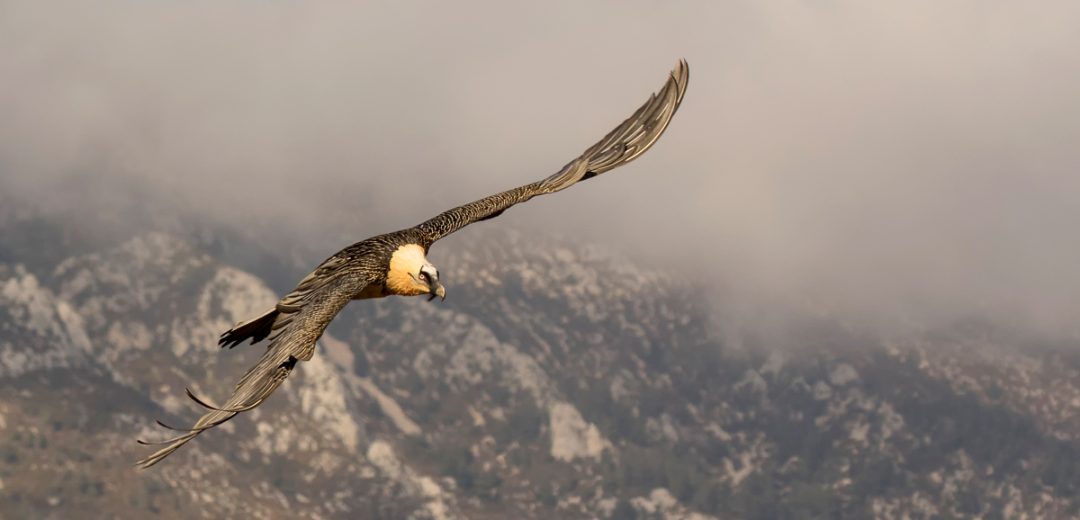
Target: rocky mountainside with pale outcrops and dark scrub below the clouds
[{"x": 557, "y": 382}]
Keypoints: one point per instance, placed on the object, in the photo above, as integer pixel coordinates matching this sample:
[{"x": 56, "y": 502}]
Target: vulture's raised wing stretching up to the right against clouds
[{"x": 623, "y": 145}]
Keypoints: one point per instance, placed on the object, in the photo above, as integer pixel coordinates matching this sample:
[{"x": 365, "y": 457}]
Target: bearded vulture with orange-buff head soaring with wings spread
[{"x": 397, "y": 263}]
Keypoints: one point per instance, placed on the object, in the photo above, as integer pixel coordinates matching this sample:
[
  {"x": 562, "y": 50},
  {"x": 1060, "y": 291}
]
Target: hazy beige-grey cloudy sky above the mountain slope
[{"x": 890, "y": 163}]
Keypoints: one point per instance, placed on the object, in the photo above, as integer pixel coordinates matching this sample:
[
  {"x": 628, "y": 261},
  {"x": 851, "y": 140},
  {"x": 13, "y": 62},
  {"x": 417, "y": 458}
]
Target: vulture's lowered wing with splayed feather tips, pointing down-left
[{"x": 302, "y": 318}]
